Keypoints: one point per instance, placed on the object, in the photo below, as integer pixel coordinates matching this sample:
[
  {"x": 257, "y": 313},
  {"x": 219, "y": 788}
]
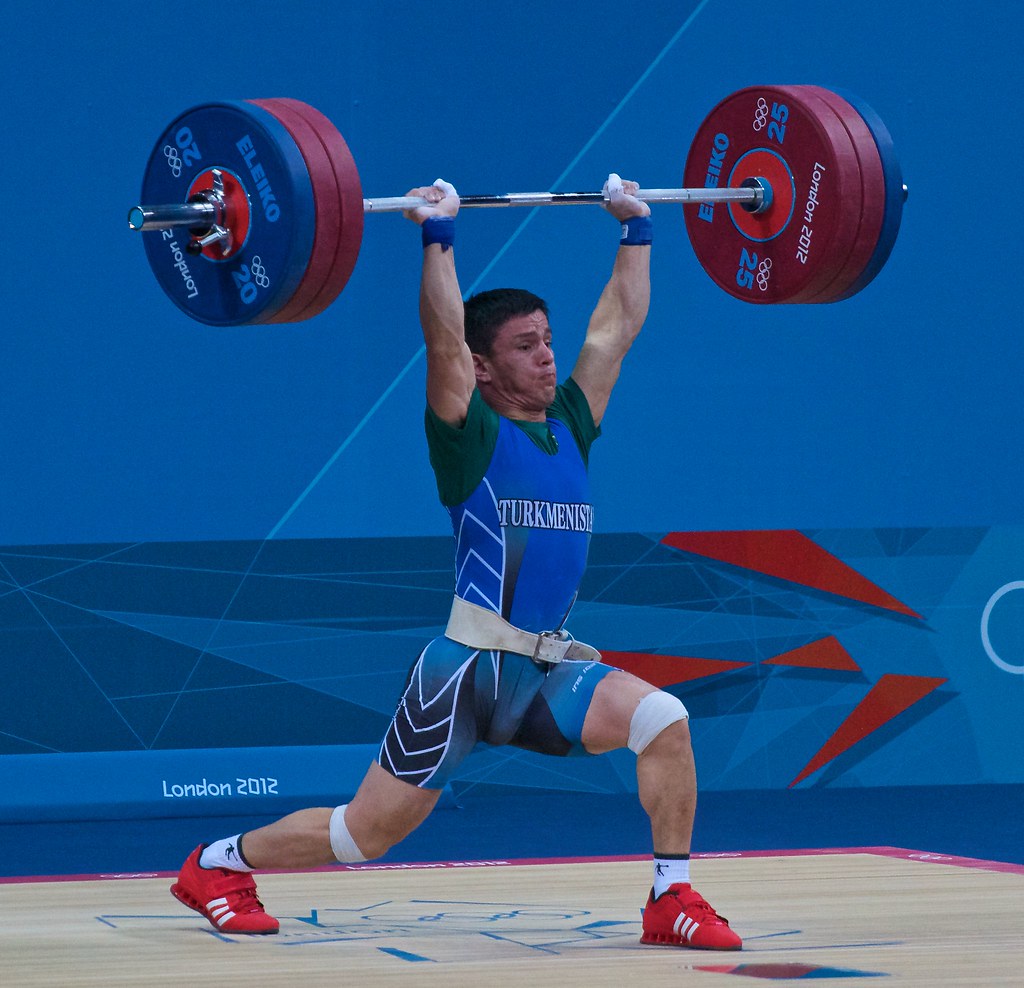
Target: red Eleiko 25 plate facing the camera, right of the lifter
[{"x": 792, "y": 251}]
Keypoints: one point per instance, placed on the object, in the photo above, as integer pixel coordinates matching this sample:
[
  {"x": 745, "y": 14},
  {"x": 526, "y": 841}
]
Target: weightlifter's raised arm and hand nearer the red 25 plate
[{"x": 623, "y": 308}]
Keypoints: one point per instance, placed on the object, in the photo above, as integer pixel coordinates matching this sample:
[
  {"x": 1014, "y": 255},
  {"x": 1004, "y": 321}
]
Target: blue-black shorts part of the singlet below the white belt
[{"x": 457, "y": 697}]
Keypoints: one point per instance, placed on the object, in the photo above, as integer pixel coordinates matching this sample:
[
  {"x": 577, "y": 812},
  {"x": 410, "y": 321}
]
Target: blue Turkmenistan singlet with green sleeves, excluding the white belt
[{"x": 522, "y": 538}]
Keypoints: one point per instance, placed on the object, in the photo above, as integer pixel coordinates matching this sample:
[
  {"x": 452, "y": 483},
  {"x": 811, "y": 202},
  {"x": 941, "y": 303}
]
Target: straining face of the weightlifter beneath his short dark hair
[{"x": 518, "y": 378}]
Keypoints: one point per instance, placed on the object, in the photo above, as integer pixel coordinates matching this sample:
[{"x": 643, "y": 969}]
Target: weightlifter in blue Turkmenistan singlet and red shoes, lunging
[{"x": 509, "y": 447}]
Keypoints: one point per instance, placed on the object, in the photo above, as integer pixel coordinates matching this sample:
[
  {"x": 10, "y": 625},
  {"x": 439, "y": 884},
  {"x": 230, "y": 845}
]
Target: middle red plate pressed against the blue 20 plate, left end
[{"x": 327, "y": 209}]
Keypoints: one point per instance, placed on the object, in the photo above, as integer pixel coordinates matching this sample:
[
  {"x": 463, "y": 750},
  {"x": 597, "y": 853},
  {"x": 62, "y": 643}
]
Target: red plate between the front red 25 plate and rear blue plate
[{"x": 873, "y": 183}]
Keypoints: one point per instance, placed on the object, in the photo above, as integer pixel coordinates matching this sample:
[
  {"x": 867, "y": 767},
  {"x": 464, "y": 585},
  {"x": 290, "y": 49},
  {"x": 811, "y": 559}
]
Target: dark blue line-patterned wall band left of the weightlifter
[{"x": 210, "y": 645}]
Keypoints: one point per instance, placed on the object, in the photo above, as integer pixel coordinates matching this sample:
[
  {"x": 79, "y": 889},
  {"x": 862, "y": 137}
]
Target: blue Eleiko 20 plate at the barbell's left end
[{"x": 272, "y": 210}]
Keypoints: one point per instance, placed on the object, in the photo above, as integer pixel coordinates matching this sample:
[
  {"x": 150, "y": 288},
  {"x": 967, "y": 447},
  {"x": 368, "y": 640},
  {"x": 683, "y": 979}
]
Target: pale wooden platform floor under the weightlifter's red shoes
[{"x": 906, "y": 918}]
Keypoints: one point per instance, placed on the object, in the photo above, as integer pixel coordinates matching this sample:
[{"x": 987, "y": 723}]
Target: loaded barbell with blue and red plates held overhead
[{"x": 797, "y": 190}]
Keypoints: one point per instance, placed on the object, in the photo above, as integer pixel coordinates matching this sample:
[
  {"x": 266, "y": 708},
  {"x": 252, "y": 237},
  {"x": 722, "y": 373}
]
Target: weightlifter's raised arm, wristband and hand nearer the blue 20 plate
[{"x": 451, "y": 378}]
